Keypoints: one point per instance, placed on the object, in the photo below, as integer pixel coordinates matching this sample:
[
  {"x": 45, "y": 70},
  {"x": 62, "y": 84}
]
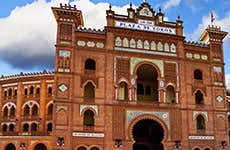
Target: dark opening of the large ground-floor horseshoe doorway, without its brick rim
[{"x": 148, "y": 135}]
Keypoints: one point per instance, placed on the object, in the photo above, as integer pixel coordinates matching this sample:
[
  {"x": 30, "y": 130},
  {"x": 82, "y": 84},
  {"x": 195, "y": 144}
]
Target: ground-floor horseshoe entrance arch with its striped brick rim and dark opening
[{"x": 148, "y": 132}]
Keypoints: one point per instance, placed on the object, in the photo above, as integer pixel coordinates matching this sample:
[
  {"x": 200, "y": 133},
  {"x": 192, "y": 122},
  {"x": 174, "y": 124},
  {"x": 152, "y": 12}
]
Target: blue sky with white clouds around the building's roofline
[{"x": 28, "y": 28}]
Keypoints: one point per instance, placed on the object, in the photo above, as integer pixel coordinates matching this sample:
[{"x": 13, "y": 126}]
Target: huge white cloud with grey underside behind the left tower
[{"x": 28, "y": 34}]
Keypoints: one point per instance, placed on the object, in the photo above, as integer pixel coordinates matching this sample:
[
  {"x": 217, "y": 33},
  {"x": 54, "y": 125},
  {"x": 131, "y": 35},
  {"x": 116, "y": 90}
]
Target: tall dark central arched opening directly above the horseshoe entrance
[{"x": 147, "y": 83}]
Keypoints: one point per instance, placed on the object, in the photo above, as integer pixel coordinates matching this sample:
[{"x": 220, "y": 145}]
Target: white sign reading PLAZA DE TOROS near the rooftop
[{"x": 143, "y": 27}]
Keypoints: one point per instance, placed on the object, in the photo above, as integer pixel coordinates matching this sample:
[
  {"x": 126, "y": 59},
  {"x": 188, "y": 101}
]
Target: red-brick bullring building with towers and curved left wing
[{"x": 137, "y": 84}]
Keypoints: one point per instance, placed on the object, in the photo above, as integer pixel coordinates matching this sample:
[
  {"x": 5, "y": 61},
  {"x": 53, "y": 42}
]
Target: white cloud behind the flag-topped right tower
[{"x": 223, "y": 23}]
